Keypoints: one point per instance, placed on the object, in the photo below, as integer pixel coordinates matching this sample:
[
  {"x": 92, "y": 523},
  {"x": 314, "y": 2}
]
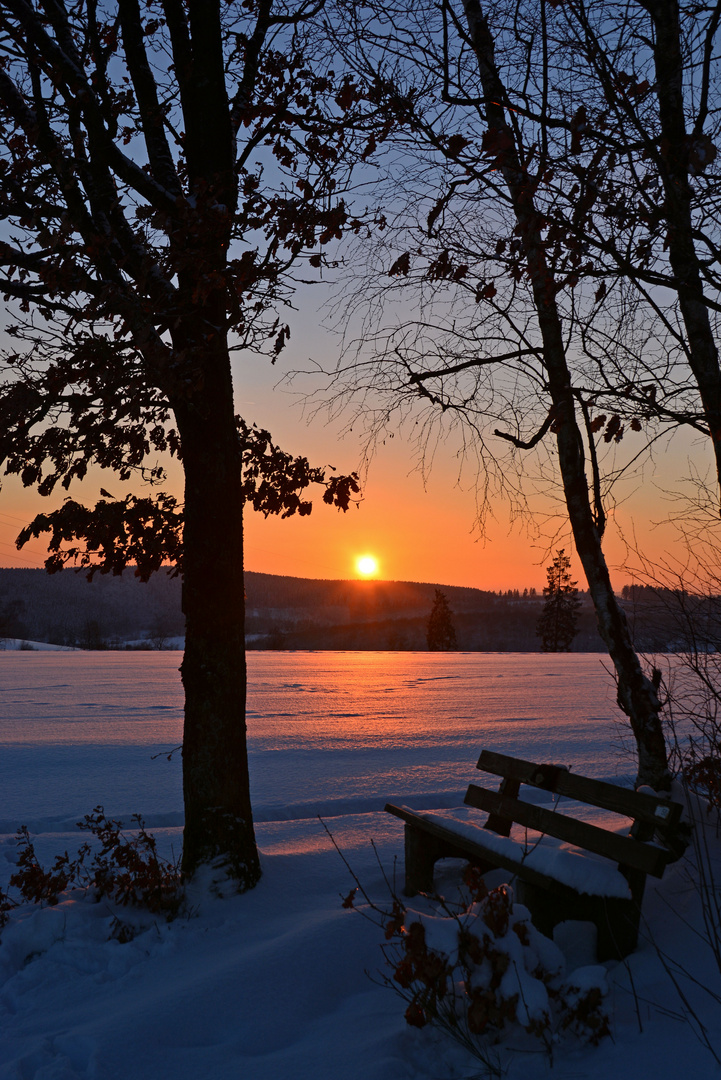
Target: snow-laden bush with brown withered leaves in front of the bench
[{"x": 481, "y": 971}]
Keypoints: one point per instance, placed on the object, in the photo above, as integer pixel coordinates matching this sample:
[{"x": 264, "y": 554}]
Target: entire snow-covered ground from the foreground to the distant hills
[{"x": 274, "y": 985}]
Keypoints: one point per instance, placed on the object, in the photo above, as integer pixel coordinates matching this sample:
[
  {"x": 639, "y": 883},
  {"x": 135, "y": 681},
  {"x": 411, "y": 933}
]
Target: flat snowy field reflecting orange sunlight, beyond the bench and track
[{"x": 330, "y": 733}]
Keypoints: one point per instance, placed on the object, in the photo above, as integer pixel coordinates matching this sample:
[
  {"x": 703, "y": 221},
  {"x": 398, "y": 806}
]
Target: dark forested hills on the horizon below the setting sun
[{"x": 309, "y": 614}]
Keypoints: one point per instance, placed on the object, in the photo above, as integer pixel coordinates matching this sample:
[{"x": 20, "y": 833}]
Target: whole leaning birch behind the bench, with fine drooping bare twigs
[{"x": 511, "y": 334}]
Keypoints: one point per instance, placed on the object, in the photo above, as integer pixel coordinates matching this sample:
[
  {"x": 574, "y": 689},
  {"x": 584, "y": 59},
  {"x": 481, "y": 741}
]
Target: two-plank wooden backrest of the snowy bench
[{"x": 648, "y": 812}]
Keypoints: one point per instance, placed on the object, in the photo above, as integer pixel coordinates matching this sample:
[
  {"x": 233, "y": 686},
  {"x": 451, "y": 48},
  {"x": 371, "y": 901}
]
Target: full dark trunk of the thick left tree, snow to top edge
[{"x": 215, "y": 765}]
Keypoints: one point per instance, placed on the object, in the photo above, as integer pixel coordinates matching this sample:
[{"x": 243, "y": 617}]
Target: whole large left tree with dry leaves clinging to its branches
[{"x": 165, "y": 166}]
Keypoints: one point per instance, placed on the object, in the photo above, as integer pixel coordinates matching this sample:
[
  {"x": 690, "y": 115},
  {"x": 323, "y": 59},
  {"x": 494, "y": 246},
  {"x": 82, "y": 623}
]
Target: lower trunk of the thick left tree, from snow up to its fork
[{"x": 215, "y": 765}]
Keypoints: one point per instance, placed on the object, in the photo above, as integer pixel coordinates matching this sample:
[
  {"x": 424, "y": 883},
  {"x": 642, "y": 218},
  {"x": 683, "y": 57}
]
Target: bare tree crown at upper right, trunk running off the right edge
[{"x": 640, "y": 193}]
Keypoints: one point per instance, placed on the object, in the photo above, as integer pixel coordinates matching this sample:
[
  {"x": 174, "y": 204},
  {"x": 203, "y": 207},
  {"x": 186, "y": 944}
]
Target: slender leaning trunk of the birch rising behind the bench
[{"x": 637, "y": 696}]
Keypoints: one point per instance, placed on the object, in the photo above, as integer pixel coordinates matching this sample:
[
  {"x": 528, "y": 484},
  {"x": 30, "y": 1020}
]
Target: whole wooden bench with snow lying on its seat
[{"x": 555, "y": 884}]
